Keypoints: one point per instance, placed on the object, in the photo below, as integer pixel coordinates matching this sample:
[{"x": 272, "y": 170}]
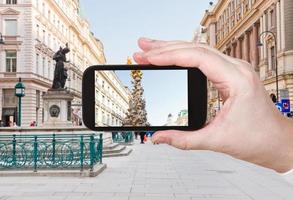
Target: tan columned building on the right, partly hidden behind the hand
[{"x": 235, "y": 27}]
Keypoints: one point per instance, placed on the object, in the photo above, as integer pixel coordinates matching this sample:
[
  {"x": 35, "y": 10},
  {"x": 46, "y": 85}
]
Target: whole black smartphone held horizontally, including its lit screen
[{"x": 143, "y": 98}]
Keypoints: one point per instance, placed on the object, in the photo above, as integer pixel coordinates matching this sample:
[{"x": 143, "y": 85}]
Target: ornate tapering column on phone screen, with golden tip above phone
[{"x": 136, "y": 114}]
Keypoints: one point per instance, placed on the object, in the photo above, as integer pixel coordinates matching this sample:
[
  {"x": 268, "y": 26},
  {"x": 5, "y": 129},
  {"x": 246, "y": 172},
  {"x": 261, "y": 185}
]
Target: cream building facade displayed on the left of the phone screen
[{"x": 112, "y": 99}]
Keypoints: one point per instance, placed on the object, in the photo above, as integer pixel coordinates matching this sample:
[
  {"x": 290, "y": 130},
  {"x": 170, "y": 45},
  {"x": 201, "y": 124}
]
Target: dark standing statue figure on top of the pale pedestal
[{"x": 60, "y": 73}]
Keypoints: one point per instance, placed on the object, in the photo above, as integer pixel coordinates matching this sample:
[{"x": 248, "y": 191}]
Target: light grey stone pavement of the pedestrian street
[{"x": 157, "y": 173}]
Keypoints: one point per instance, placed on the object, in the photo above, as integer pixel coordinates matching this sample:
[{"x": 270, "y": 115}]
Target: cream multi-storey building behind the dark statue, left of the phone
[{"x": 33, "y": 30}]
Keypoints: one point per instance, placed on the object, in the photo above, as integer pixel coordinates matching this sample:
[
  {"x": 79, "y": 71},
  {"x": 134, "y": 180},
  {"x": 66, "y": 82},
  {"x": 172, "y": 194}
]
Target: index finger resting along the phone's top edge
[{"x": 213, "y": 65}]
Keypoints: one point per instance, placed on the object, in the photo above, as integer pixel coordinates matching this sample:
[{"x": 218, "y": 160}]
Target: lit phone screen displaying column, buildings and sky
[{"x": 141, "y": 98}]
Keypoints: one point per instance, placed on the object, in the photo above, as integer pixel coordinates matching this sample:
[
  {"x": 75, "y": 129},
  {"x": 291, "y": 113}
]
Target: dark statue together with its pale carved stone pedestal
[{"x": 57, "y": 100}]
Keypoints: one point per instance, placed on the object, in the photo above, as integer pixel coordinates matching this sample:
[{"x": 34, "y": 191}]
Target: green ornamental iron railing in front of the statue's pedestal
[{"x": 54, "y": 151}]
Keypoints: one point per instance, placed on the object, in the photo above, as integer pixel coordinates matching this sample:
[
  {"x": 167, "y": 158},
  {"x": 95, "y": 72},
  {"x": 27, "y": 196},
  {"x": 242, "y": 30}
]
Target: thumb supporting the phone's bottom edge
[{"x": 193, "y": 140}]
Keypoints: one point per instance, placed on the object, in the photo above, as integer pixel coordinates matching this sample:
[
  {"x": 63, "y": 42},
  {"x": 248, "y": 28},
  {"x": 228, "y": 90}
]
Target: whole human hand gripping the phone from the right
[{"x": 248, "y": 127}]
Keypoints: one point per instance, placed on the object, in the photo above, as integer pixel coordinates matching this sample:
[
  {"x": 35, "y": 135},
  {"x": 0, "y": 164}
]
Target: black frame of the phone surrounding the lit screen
[{"x": 197, "y": 98}]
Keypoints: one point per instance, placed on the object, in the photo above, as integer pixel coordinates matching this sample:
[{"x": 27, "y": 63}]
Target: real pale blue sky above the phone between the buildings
[{"x": 119, "y": 23}]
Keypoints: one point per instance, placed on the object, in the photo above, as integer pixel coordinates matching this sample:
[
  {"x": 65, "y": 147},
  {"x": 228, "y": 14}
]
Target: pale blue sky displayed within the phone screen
[{"x": 165, "y": 92}]
